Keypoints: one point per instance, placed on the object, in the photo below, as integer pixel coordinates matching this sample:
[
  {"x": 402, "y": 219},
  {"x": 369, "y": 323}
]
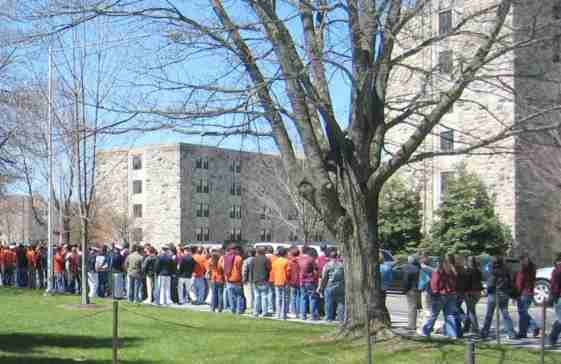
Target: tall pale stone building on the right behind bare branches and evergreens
[{"x": 523, "y": 172}]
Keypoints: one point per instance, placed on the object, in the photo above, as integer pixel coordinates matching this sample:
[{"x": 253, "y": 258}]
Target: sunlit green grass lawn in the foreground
[{"x": 38, "y": 330}]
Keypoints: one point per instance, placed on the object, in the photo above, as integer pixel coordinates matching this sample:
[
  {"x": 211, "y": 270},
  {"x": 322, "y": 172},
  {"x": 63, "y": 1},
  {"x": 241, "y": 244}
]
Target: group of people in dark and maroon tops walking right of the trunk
[{"x": 454, "y": 288}]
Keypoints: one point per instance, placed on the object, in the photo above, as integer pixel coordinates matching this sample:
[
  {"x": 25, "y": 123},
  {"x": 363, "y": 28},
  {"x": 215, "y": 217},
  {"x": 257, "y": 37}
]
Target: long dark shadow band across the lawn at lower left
[{"x": 20, "y": 343}]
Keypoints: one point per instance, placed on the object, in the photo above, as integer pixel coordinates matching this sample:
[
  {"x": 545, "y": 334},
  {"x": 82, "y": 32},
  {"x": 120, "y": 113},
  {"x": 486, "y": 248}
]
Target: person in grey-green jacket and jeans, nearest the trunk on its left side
[{"x": 332, "y": 286}]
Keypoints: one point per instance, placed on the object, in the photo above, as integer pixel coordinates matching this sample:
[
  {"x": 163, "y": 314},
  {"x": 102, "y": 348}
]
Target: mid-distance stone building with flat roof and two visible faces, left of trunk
[{"x": 182, "y": 193}]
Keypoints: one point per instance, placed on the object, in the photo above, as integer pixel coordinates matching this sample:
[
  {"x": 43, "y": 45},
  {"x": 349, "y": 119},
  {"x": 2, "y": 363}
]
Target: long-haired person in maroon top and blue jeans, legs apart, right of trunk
[{"x": 443, "y": 288}]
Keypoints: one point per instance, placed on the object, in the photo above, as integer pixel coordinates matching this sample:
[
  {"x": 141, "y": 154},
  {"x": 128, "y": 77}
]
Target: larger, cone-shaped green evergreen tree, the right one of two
[{"x": 467, "y": 223}]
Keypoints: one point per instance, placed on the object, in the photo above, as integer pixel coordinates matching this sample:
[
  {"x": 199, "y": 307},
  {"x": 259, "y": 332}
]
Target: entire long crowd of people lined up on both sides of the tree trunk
[{"x": 290, "y": 282}]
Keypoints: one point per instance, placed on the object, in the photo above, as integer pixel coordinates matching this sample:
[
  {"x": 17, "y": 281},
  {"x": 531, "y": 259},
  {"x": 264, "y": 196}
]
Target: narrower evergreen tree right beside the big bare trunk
[{"x": 400, "y": 221}]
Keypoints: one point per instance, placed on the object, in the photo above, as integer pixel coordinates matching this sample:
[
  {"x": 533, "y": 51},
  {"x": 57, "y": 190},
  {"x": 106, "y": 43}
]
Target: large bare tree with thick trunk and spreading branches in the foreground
[{"x": 280, "y": 70}]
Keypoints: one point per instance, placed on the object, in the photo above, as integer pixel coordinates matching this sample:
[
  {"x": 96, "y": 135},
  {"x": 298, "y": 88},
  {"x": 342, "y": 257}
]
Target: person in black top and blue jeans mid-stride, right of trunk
[{"x": 499, "y": 289}]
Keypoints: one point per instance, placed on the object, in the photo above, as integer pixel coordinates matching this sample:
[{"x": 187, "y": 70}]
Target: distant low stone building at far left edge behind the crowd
[{"x": 17, "y": 222}]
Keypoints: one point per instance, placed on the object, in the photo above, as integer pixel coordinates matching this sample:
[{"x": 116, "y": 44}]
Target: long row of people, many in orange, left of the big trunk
[{"x": 291, "y": 281}]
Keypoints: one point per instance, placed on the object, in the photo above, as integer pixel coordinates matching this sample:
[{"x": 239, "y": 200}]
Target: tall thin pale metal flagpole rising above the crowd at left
[{"x": 50, "y": 274}]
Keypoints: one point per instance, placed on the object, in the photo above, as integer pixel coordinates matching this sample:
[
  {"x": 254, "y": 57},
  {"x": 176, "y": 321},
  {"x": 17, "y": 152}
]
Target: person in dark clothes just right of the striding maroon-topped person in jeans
[{"x": 472, "y": 295}]
